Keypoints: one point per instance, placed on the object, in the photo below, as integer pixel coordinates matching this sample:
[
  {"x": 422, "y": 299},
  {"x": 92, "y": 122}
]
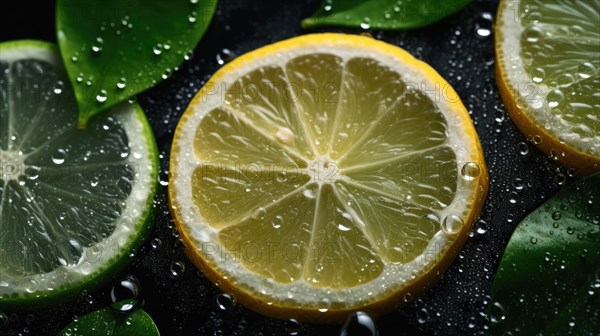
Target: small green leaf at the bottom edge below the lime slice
[{"x": 108, "y": 322}]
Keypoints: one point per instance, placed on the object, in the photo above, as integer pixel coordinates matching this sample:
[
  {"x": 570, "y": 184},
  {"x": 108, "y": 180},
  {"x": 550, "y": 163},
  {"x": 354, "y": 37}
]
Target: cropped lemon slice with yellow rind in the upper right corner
[{"x": 548, "y": 56}]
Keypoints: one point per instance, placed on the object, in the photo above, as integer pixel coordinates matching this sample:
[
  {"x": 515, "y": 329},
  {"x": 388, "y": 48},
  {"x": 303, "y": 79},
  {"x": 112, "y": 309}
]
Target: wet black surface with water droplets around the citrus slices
[{"x": 185, "y": 304}]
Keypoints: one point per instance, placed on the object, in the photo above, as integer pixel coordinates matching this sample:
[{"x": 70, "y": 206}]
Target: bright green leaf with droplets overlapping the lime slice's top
[{"x": 116, "y": 49}]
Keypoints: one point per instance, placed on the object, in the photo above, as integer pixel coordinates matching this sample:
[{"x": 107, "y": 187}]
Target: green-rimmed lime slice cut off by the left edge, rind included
[{"x": 74, "y": 203}]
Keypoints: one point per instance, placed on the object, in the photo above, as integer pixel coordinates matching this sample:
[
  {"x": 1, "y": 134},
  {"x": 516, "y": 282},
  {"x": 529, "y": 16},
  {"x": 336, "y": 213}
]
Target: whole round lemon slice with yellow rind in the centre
[{"x": 324, "y": 174}]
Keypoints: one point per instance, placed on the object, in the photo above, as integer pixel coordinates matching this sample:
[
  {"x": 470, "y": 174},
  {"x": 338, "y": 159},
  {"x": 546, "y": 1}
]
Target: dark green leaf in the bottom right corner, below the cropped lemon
[{"x": 548, "y": 282}]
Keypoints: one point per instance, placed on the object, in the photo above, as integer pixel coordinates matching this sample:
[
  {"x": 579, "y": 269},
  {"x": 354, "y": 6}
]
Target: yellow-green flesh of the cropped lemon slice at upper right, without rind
[{"x": 560, "y": 48}]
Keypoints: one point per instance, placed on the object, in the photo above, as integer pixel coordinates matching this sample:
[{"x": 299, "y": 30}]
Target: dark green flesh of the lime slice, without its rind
[{"x": 61, "y": 189}]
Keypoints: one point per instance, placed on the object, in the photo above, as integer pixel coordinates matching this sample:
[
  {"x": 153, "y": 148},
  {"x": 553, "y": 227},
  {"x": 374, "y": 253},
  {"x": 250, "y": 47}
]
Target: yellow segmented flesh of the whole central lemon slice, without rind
[{"x": 324, "y": 170}]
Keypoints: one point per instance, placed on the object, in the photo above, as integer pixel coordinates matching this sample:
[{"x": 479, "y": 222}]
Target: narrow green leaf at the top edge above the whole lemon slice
[{"x": 383, "y": 14}]
